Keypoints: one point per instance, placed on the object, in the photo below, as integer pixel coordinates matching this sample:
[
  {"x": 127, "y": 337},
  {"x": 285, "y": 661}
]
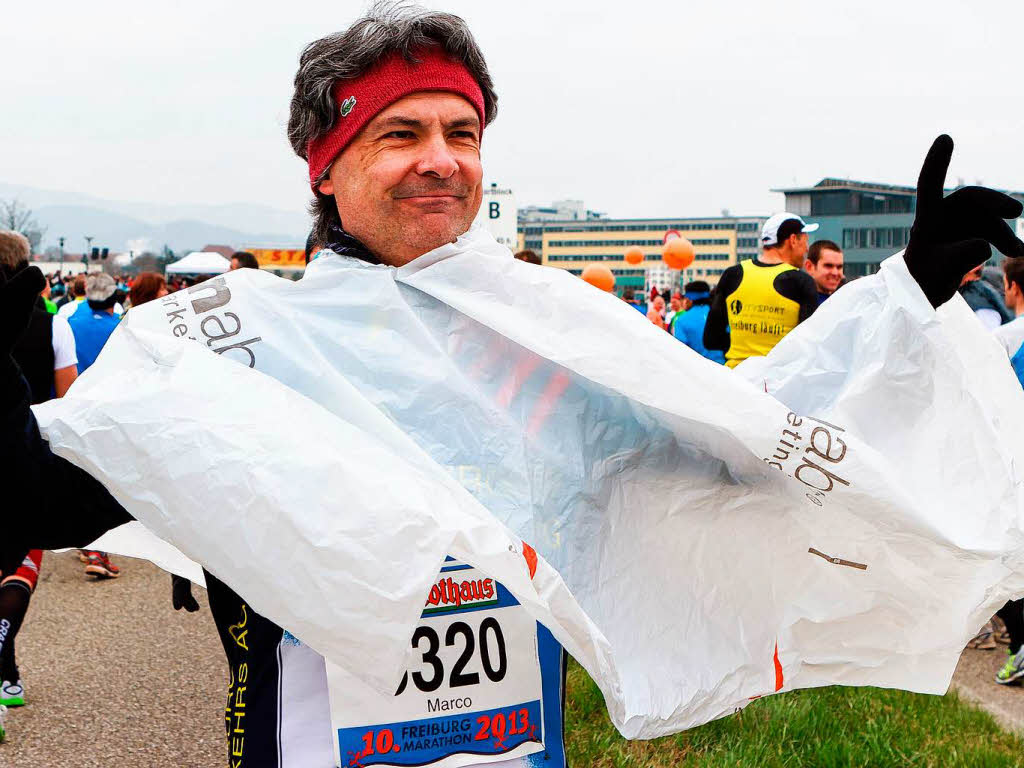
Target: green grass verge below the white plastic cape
[{"x": 820, "y": 729}]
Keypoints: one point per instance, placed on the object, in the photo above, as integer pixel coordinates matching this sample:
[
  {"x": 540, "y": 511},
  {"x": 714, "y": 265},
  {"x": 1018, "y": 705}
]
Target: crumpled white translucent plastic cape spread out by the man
[{"x": 844, "y": 511}]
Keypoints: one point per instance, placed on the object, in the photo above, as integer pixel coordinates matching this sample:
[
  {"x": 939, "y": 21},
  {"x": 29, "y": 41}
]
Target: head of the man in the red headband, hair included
[{"x": 395, "y": 154}]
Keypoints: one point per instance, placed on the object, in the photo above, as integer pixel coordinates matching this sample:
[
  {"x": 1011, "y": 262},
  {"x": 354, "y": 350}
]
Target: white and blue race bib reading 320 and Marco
[{"x": 475, "y": 695}]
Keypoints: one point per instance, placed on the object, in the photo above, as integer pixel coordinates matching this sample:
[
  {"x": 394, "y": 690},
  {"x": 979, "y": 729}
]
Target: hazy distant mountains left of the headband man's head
[{"x": 123, "y": 226}]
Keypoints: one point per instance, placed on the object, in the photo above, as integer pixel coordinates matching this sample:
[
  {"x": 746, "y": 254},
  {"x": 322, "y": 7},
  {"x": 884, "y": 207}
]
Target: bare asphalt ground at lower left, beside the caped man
[{"x": 115, "y": 676}]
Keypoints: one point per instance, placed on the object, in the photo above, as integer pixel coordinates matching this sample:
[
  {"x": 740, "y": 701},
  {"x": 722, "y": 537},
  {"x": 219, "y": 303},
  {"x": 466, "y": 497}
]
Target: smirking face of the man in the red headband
[{"x": 410, "y": 182}]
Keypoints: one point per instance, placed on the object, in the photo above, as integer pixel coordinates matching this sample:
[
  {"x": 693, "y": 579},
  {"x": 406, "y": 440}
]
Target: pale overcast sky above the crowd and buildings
[{"x": 641, "y": 109}]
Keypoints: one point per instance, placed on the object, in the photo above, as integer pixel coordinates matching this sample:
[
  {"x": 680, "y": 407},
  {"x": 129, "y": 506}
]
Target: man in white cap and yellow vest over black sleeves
[{"x": 760, "y": 301}]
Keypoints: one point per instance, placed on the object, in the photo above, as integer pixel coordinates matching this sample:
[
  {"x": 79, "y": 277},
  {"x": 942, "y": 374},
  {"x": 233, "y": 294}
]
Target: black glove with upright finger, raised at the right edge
[{"x": 952, "y": 236}]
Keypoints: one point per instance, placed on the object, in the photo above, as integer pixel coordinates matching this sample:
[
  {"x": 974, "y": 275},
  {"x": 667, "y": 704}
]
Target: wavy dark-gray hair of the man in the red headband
[{"x": 387, "y": 29}]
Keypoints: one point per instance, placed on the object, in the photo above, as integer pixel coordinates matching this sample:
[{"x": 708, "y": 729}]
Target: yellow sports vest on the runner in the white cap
[{"x": 759, "y": 316}]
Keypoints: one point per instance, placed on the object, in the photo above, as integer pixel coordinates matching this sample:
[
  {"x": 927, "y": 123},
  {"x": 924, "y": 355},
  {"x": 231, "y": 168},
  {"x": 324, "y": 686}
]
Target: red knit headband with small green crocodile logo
[{"x": 361, "y": 100}]
